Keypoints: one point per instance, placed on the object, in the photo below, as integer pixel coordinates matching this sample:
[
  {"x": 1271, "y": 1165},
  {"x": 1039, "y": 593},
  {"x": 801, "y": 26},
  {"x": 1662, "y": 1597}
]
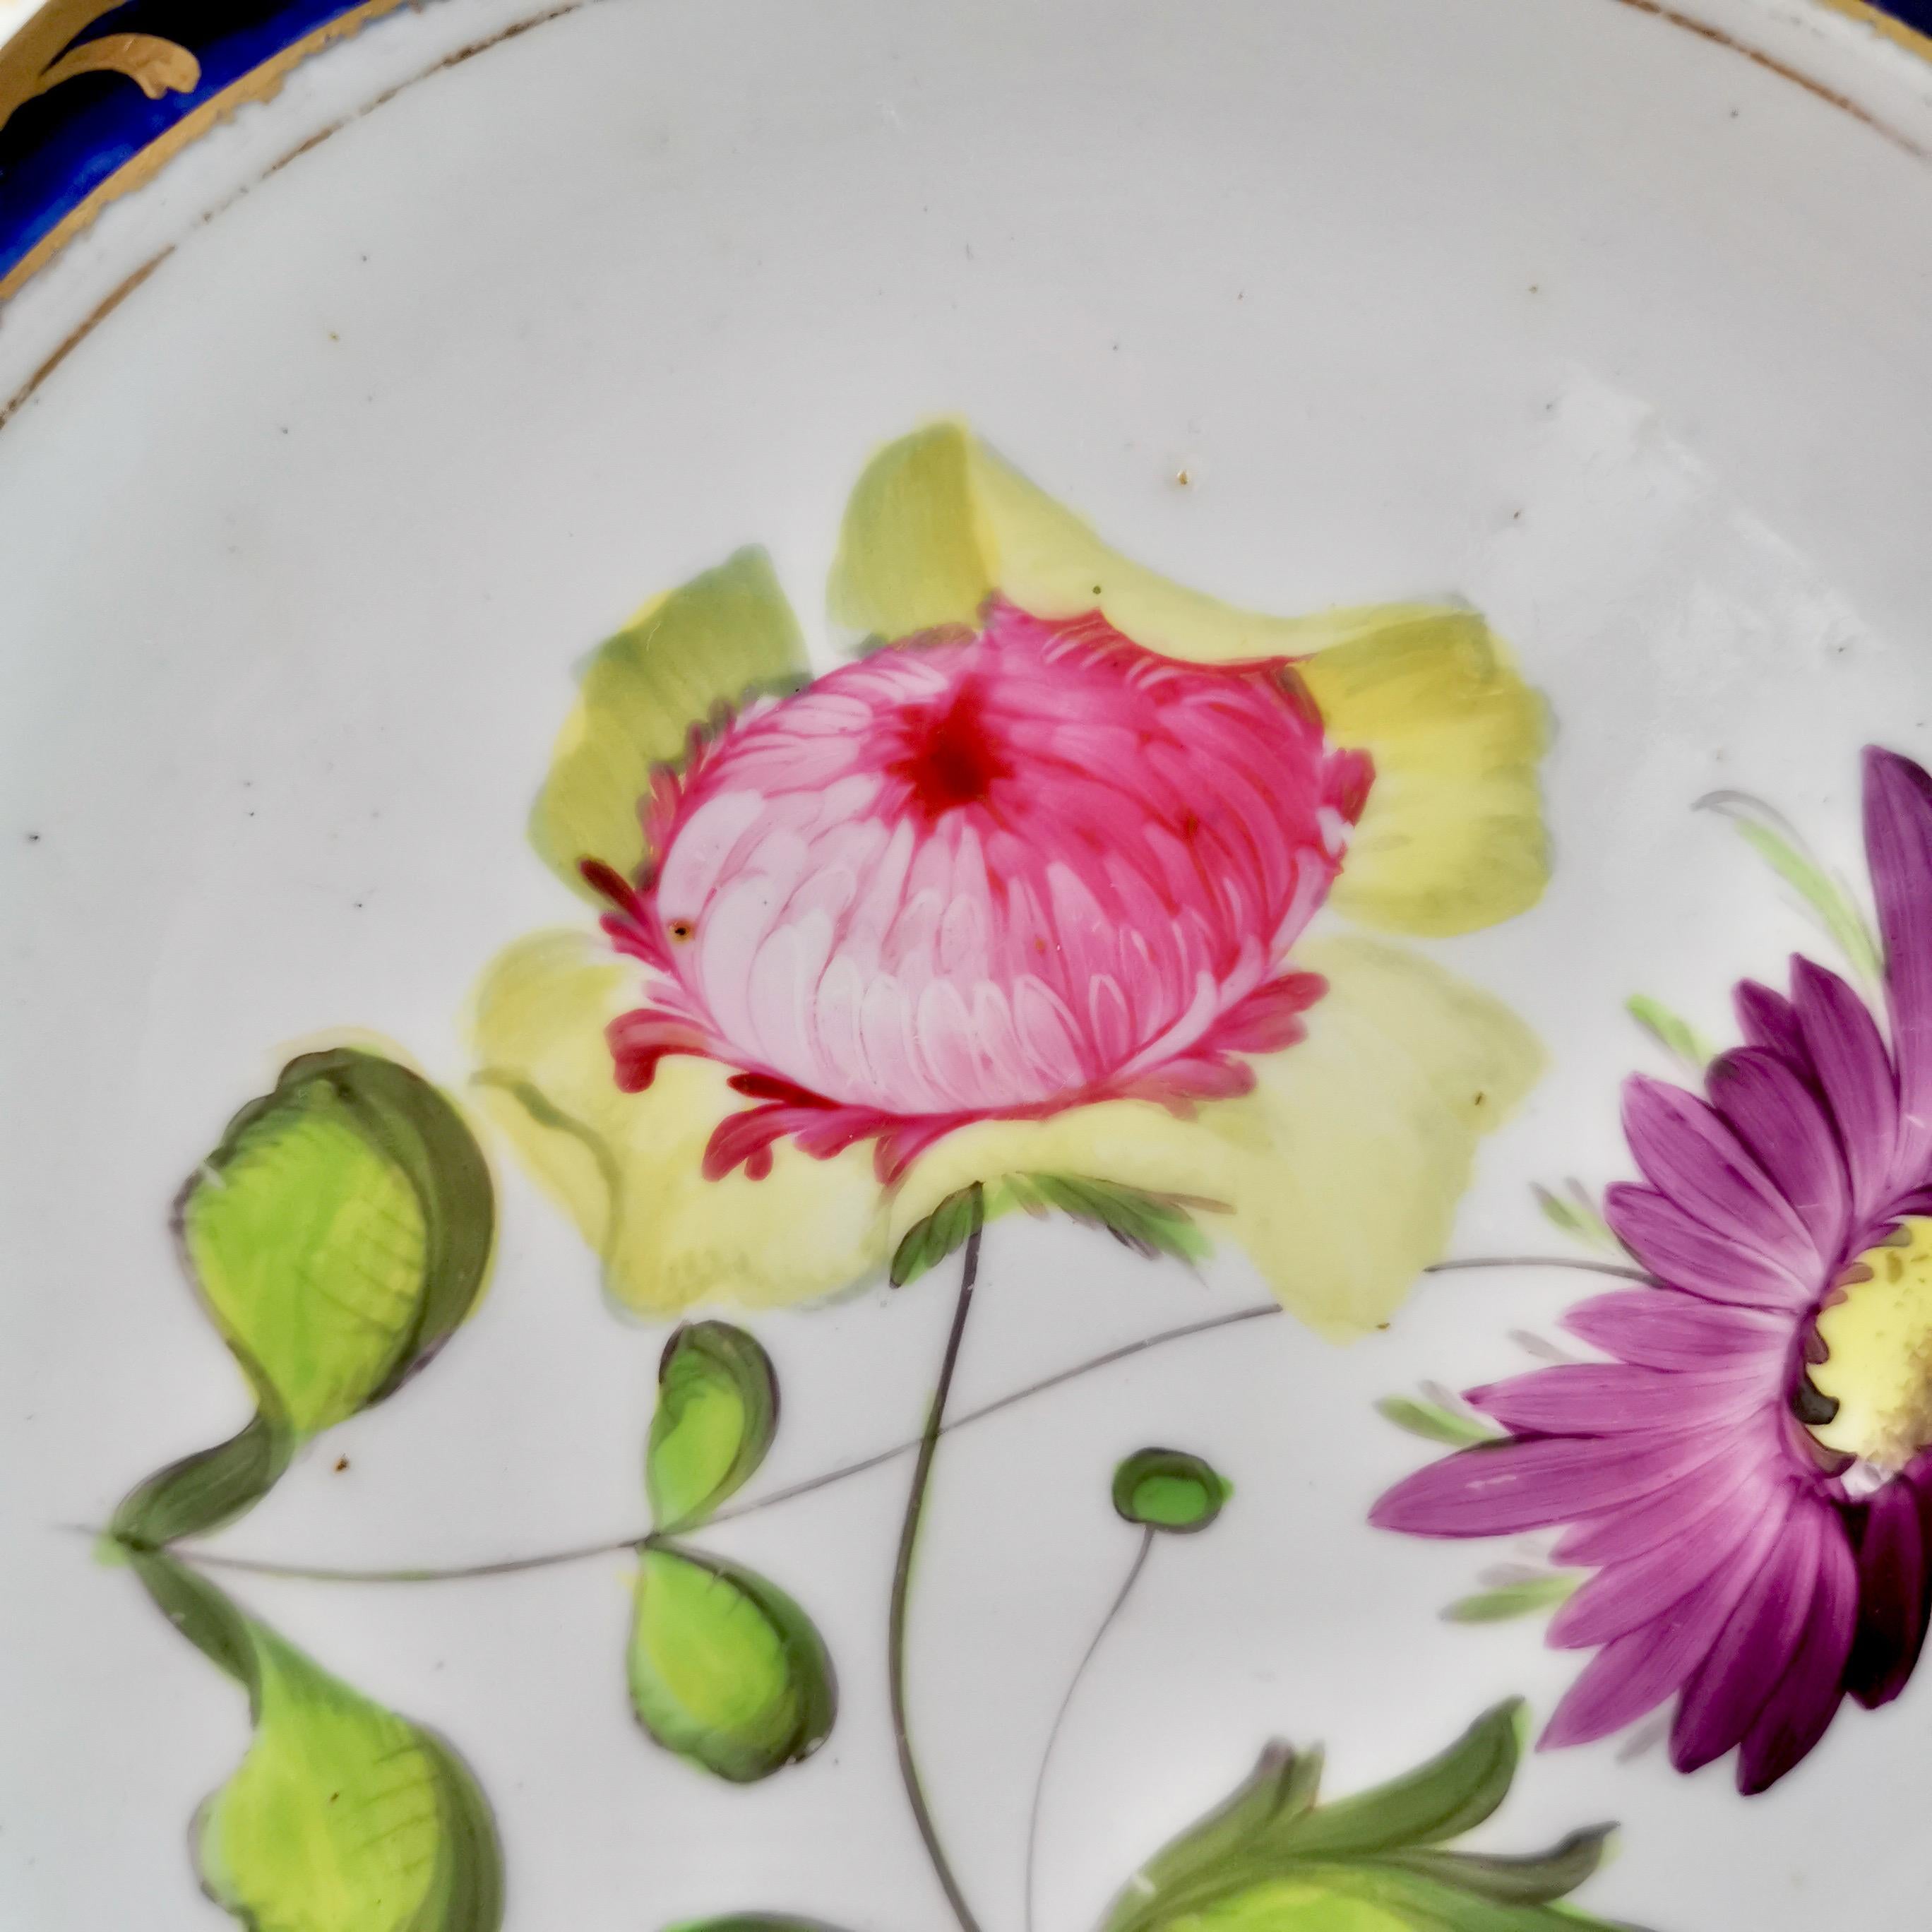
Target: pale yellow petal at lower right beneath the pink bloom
[{"x": 1342, "y": 1170}]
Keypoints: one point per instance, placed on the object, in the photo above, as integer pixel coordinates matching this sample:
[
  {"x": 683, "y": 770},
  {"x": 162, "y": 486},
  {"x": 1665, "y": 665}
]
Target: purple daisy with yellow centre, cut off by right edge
[{"x": 1751, "y": 1471}]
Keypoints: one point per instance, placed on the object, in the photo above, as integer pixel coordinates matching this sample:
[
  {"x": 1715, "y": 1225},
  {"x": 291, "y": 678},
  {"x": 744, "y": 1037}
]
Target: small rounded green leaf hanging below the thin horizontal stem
[{"x": 725, "y": 1668}]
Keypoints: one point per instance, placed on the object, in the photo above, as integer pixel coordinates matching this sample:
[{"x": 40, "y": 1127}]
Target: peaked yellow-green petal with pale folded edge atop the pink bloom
[{"x": 938, "y": 523}]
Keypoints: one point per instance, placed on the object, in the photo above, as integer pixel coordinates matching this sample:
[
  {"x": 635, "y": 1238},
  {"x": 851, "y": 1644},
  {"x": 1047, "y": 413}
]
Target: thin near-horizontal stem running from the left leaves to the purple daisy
[{"x": 878, "y": 1460}]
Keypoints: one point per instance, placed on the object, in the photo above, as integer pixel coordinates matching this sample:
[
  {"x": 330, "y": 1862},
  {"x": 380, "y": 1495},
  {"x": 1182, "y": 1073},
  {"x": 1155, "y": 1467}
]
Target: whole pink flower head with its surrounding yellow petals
[{"x": 1017, "y": 895}]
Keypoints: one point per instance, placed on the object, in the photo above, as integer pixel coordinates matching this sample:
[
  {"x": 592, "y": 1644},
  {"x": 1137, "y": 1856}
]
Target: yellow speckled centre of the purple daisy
[{"x": 1881, "y": 1340}]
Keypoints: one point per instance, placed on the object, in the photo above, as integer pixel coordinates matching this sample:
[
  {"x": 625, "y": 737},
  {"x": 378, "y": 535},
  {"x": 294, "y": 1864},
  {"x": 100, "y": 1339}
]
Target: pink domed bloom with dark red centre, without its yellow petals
[{"x": 986, "y": 878}]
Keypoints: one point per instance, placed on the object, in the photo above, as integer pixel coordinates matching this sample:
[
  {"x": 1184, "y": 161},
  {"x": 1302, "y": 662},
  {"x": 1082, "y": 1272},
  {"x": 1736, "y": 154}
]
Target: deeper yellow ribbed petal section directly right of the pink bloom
[{"x": 1454, "y": 832}]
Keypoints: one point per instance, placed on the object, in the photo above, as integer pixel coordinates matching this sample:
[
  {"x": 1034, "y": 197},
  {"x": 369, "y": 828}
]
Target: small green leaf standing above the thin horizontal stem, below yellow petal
[{"x": 718, "y": 1411}]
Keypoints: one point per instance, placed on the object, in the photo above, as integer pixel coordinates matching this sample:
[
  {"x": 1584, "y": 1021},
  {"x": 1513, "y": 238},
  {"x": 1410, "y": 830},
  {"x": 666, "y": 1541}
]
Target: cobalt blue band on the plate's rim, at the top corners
[{"x": 59, "y": 148}]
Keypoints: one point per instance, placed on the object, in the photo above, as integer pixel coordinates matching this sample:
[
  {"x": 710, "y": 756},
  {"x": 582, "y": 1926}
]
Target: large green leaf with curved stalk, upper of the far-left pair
[{"x": 337, "y": 1237}]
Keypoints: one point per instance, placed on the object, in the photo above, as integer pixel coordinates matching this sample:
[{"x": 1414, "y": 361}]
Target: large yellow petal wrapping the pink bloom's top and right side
[{"x": 1454, "y": 832}]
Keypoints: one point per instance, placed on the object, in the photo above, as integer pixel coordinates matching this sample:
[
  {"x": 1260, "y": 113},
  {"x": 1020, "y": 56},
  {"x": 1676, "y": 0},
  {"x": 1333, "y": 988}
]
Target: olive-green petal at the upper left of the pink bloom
[{"x": 681, "y": 666}]
